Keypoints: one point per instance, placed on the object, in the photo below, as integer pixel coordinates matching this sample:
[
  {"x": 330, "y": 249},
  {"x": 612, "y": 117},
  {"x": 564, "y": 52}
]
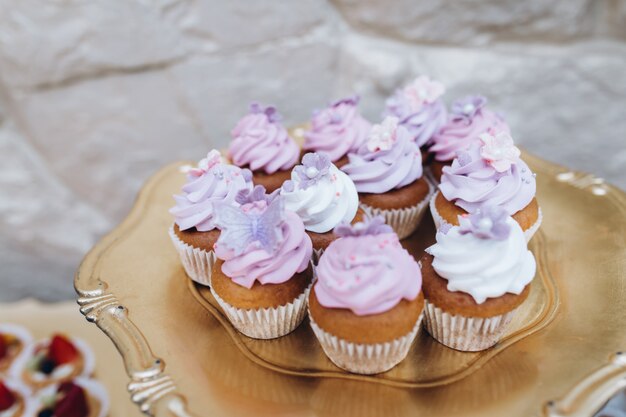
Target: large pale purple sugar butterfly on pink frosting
[{"x": 244, "y": 226}]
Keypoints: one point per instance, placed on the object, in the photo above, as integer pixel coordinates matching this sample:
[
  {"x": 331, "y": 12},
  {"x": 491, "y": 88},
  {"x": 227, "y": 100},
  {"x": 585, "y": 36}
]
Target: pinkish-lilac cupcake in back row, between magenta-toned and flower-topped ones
[{"x": 337, "y": 131}]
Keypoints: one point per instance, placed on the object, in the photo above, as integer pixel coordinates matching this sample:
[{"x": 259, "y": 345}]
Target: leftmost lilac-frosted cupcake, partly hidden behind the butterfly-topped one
[{"x": 194, "y": 230}]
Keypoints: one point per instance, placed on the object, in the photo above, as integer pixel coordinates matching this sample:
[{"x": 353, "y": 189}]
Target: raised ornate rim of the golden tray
[{"x": 155, "y": 392}]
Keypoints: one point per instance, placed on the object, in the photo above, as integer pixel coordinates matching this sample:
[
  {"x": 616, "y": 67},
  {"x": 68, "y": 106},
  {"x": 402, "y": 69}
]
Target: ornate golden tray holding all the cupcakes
[{"x": 560, "y": 358}]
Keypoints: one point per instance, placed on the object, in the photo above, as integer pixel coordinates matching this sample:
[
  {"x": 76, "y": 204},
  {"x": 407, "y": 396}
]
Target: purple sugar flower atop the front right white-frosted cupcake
[{"x": 488, "y": 222}]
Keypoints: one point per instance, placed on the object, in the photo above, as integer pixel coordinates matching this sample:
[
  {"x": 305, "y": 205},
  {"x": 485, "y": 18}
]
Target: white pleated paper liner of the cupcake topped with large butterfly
[{"x": 266, "y": 323}]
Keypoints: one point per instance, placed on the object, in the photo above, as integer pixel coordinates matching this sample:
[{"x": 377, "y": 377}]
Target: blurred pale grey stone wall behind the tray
[{"x": 96, "y": 95}]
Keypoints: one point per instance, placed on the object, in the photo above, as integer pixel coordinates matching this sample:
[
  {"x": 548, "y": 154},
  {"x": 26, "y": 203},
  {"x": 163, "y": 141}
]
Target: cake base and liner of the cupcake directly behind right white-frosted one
[{"x": 528, "y": 221}]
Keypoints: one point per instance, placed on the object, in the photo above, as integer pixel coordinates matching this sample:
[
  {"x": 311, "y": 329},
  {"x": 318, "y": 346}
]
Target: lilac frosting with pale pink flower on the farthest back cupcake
[{"x": 419, "y": 108}]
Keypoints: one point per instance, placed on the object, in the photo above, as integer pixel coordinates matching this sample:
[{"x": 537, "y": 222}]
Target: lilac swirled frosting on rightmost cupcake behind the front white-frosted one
[{"x": 474, "y": 180}]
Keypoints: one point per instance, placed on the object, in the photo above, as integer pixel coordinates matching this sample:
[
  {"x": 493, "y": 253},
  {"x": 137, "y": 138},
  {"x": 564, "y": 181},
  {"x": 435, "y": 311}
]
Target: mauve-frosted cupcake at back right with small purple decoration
[{"x": 468, "y": 119}]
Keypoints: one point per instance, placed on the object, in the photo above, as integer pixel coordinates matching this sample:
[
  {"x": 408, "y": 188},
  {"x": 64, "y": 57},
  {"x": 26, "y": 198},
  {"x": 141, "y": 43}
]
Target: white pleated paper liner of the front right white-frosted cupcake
[{"x": 468, "y": 334}]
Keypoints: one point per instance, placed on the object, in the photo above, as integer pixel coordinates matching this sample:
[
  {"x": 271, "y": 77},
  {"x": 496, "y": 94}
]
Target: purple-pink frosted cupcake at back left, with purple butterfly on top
[{"x": 262, "y": 144}]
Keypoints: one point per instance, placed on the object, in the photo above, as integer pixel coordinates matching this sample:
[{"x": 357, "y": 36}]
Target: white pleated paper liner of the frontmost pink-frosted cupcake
[{"x": 366, "y": 359}]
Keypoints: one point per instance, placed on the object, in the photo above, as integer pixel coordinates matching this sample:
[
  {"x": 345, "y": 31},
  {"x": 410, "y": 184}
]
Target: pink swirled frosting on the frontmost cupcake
[{"x": 368, "y": 273}]
